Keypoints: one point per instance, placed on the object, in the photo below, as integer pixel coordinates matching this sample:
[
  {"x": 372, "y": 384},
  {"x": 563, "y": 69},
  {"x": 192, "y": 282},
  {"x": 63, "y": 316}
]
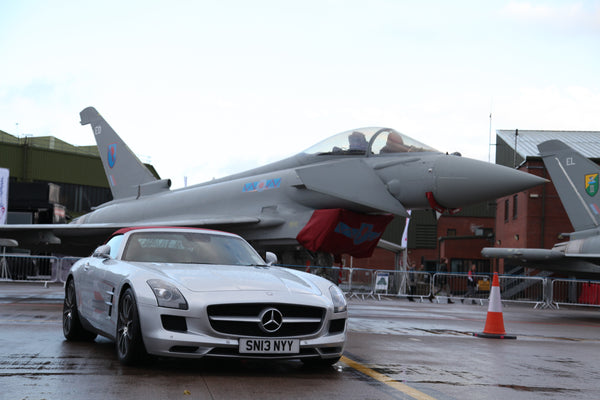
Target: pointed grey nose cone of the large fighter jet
[{"x": 462, "y": 181}]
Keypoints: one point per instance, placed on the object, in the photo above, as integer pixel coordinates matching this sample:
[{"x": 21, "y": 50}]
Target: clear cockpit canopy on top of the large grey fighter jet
[{"x": 368, "y": 141}]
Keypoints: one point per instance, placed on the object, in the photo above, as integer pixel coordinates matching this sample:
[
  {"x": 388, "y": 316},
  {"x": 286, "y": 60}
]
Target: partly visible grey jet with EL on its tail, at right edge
[{"x": 576, "y": 181}]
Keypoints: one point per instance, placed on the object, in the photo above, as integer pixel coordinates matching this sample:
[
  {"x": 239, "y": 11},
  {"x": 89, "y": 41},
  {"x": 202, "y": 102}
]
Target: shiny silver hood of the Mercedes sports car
[{"x": 209, "y": 278}]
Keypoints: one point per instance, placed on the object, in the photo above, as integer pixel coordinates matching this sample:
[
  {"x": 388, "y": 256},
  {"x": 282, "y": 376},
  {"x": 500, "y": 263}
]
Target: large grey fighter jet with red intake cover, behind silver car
[{"x": 335, "y": 197}]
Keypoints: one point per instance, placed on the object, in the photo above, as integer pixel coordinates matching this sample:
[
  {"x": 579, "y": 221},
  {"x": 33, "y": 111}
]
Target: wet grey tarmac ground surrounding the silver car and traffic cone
[{"x": 395, "y": 350}]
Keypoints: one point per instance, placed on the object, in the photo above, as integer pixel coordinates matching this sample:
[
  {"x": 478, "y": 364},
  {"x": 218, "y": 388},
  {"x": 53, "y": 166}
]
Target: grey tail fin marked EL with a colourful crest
[{"x": 576, "y": 180}]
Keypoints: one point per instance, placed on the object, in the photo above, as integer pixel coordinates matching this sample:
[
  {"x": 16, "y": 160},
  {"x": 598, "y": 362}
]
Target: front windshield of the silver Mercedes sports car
[{"x": 189, "y": 248}]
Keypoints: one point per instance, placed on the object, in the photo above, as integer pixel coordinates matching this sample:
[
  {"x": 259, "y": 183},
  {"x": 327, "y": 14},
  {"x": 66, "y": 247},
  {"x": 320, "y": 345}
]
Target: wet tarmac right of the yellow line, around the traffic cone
[{"x": 431, "y": 348}]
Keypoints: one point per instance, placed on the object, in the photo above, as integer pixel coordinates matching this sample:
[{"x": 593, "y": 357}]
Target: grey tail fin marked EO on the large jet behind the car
[{"x": 127, "y": 176}]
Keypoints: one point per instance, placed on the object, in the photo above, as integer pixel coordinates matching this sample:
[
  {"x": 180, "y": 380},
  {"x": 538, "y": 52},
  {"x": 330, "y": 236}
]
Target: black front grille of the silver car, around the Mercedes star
[{"x": 244, "y": 319}]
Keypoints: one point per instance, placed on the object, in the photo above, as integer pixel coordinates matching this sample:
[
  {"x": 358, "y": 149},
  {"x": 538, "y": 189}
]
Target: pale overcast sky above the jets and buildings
[{"x": 208, "y": 88}]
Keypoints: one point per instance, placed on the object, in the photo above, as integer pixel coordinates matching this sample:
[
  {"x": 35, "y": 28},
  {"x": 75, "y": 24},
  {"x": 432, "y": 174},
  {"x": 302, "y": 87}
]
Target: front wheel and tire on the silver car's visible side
[{"x": 130, "y": 346}]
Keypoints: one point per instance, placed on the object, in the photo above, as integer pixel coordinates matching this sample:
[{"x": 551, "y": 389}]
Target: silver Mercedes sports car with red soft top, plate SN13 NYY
[{"x": 183, "y": 292}]
